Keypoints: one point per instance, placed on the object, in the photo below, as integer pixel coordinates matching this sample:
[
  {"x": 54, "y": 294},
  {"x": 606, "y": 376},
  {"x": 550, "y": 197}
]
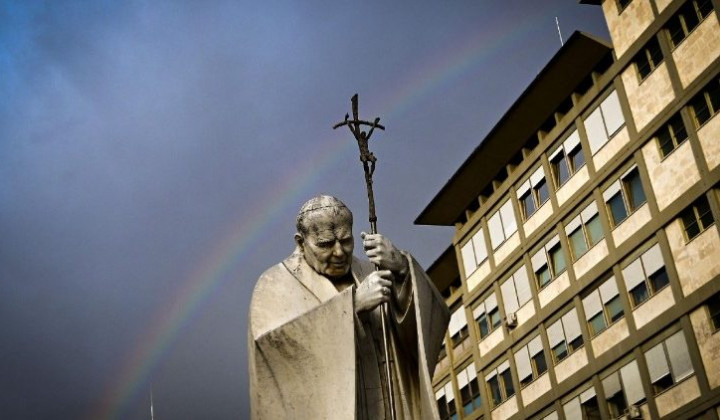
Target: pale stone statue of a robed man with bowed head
[{"x": 314, "y": 334}]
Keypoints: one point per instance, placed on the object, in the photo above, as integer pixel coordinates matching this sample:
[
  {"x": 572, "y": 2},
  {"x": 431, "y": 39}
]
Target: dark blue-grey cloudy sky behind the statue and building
[{"x": 153, "y": 156}]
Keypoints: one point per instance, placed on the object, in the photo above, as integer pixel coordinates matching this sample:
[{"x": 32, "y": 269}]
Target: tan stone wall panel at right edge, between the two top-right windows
[{"x": 698, "y": 50}]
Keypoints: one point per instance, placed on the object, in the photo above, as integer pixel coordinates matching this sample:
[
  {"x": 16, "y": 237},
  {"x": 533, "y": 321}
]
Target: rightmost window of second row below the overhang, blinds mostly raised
[{"x": 624, "y": 196}]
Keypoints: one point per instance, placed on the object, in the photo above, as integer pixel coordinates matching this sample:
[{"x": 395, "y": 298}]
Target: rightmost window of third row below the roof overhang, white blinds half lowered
[{"x": 645, "y": 276}]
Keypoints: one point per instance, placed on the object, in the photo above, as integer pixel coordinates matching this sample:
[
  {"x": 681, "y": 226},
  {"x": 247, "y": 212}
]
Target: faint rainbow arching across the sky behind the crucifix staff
[{"x": 228, "y": 254}]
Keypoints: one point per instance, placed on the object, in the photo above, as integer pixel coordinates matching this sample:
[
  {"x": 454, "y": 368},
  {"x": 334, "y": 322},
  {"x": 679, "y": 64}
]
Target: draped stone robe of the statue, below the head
[{"x": 312, "y": 357}]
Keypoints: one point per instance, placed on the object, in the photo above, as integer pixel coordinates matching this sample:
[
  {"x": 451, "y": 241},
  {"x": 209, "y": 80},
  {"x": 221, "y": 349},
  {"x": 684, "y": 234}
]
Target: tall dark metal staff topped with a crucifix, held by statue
[{"x": 368, "y": 160}]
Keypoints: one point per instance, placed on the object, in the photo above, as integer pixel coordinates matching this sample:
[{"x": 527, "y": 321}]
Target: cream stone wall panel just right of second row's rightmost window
[{"x": 672, "y": 176}]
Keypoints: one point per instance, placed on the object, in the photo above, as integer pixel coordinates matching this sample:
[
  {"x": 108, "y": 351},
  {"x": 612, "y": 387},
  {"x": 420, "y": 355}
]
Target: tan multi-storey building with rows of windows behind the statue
[{"x": 584, "y": 273}]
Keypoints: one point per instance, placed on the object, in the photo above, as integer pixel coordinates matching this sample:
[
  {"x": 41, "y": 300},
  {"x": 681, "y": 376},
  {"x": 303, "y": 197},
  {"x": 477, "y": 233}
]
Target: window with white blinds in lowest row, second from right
[{"x": 623, "y": 388}]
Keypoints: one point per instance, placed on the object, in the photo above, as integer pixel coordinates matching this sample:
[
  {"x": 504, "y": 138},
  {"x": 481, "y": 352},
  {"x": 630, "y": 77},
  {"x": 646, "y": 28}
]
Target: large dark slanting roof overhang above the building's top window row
[{"x": 565, "y": 70}]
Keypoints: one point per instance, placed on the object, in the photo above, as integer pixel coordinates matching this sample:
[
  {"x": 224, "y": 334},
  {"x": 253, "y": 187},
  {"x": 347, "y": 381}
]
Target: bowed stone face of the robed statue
[{"x": 328, "y": 244}]
